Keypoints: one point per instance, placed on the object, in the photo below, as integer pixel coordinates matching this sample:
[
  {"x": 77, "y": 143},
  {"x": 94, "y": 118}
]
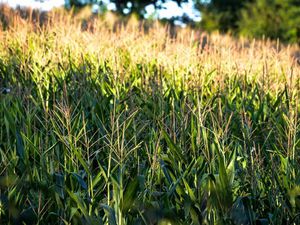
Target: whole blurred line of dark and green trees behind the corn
[{"x": 252, "y": 18}]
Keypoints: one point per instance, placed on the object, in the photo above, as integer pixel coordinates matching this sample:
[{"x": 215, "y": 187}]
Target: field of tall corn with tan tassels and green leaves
[{"x": 104, "y": 122}]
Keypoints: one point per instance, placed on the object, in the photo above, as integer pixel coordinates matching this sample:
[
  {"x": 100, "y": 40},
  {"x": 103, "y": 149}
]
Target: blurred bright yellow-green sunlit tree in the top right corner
[{"x": 271, "y": 18}]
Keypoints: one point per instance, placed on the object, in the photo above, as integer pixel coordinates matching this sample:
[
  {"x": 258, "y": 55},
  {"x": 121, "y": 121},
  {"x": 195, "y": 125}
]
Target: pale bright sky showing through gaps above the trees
[{"x": 171, "y": 7}]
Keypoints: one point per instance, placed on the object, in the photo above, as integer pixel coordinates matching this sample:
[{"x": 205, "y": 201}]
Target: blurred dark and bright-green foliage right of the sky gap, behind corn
[{"x": 253, "y": 18}]
